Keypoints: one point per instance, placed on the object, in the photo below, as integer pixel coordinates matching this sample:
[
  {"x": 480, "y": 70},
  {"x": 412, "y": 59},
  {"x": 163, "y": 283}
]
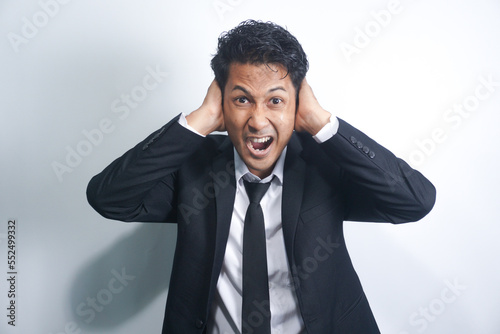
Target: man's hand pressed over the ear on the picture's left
[{"x": 208, "y": 118}]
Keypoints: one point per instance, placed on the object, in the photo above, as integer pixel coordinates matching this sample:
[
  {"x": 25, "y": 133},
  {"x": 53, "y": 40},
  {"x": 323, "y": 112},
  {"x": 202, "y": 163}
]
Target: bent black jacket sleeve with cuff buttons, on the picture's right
[{"x": 378, "y": 186}]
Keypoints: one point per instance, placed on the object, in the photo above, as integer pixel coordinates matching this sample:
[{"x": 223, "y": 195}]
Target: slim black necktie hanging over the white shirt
[{"x": 256, "y": 313}]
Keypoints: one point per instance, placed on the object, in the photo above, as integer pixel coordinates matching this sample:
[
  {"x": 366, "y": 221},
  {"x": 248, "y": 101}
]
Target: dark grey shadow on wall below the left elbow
[{"x": 125, "y": 278}]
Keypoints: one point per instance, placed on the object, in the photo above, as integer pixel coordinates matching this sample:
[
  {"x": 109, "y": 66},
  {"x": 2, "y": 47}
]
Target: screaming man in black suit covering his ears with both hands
[{"x": 318, "y": 169}]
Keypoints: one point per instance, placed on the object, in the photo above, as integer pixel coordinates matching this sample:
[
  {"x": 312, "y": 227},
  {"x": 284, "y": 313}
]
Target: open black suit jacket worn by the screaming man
[{"x": 177, "y": 176}]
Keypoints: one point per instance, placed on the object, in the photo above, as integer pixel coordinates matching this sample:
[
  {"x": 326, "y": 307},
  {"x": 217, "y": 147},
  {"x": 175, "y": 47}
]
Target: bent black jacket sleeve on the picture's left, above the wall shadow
[{"x": 140, "y": 185}]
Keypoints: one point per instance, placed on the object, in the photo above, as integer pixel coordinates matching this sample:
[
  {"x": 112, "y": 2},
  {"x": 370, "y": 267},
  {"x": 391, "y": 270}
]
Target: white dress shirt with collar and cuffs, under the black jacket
[{"x": 226, "y": 309}]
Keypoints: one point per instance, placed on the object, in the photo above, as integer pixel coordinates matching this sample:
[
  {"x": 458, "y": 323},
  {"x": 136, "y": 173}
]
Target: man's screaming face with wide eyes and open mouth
[{"x": 259, "y": 113}]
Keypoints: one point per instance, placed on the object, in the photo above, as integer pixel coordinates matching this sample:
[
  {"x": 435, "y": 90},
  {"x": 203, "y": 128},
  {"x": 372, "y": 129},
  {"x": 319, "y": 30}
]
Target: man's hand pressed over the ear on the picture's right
[{"x": 310, "y": 117}]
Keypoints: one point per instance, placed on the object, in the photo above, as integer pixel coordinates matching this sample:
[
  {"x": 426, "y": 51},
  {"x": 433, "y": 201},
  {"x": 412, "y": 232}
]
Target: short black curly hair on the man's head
[{"x": 258, "y": 42}]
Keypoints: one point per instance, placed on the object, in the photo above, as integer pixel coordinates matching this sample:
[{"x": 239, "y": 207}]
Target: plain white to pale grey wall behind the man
[{"x": 60, "y": 78}]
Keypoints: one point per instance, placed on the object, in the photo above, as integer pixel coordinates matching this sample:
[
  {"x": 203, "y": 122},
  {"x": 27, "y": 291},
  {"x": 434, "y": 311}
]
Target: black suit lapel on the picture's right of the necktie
[{"x": 293, "y": 191}]
